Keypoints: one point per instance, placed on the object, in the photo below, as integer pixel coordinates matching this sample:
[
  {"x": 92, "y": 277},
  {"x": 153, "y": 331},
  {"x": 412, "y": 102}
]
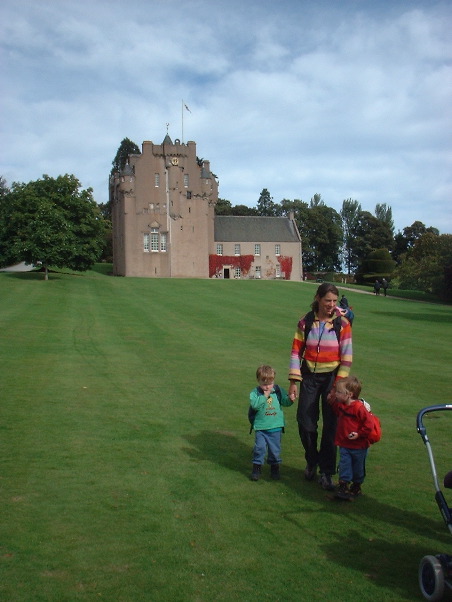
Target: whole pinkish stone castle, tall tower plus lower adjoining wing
[{"x": 164, "y": 223}]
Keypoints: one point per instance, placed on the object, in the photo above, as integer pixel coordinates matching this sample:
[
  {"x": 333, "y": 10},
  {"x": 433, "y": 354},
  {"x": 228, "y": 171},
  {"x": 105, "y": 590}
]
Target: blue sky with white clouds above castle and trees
[{"x": 346, "y": 98}]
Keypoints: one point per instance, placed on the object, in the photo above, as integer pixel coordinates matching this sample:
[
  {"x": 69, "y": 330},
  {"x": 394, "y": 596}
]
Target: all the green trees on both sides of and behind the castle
[{"x": 54, "y": 222}]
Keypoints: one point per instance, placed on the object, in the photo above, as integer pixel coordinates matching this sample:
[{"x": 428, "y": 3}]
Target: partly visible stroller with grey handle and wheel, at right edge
[{"x": 435, "y": 572}]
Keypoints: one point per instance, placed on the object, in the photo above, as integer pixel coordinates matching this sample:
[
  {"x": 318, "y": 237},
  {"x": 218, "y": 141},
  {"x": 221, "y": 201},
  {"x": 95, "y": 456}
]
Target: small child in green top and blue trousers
[{"x": 266, "y": 402}]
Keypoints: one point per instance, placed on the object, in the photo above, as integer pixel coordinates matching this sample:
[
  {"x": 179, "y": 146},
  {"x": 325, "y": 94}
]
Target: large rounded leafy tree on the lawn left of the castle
[{"x": 53, "y": 222}]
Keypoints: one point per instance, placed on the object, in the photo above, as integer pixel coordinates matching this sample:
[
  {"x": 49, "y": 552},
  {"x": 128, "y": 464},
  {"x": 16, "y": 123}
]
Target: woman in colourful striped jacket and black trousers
[{"x": 321, "y": 354}]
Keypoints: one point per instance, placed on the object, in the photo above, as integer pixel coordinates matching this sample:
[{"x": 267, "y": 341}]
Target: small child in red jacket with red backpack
[{"x": 354, "y": 424}]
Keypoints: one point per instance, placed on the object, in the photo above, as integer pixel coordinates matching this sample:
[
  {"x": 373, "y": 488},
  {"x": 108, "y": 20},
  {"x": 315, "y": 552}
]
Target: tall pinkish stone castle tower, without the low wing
[{"x": 163, "y": 212}]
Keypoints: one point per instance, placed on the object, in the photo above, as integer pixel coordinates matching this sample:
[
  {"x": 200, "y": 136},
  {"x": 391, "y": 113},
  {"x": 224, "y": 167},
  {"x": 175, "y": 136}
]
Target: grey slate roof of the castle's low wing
[{"x": 235, "y": 228}]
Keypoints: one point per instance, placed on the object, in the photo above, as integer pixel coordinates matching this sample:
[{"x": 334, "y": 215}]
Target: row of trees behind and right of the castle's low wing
[{"x": 362, "y": 245}]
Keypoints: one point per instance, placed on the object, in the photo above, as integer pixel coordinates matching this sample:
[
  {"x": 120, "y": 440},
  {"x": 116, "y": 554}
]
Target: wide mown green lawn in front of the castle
[{"x": 125, "y": 451}]
